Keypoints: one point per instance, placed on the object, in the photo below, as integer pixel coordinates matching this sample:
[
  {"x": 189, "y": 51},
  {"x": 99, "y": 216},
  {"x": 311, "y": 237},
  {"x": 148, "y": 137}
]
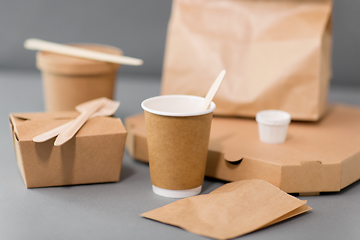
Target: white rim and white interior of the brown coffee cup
[{"x": 176, "y": 105}]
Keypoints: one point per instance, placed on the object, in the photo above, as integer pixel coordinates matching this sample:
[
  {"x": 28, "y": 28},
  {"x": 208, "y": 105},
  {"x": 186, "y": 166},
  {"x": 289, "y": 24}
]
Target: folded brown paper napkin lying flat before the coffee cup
[{"x": 232, "y": 210}]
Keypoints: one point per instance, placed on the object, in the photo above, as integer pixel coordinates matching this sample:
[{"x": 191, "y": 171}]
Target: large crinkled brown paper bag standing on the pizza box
[{"x": 277, "y": 54}]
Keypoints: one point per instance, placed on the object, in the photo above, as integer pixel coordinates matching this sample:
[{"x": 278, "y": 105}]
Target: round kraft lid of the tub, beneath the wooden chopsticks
[{"x": 68, "y": 65}]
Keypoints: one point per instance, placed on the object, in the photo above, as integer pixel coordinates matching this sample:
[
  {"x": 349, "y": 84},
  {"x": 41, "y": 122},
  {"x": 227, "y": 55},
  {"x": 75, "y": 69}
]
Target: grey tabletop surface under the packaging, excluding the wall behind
[{"x": 112, "y": 210}]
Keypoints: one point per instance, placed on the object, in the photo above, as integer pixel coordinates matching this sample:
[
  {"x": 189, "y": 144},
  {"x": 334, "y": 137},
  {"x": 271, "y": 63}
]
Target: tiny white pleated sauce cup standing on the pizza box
[{"x": 273, "y": 125}]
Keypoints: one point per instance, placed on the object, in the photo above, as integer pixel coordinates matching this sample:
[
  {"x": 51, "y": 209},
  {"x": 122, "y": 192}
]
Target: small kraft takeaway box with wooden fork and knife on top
[{"x": 94, "y": 155}]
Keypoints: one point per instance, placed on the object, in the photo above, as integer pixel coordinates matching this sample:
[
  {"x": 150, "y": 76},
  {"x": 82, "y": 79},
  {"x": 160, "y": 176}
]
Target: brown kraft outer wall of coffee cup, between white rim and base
[{"x": 178, "y": 149}]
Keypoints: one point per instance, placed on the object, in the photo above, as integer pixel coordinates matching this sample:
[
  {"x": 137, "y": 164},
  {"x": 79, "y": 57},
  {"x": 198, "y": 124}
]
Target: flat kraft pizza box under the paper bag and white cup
[{"x": 316, "y": 157}]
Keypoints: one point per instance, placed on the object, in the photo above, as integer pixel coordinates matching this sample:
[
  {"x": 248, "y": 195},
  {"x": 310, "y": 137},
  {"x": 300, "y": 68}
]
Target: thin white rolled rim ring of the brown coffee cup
[{"x": 174, "y": 114}]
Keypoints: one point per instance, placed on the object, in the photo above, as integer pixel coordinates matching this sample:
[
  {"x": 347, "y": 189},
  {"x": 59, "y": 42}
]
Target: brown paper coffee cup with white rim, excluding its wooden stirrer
[{"x": 178, "y": 140}]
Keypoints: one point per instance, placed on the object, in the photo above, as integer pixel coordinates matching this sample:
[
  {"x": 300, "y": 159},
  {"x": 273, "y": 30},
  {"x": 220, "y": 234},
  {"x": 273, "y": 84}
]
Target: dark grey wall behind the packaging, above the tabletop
[{"x": 139, "y": 28}]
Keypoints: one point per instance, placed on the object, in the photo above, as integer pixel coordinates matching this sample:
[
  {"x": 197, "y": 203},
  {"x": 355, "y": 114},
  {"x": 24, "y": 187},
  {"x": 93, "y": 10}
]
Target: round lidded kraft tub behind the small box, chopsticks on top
[{"x": 69, "y": 81}]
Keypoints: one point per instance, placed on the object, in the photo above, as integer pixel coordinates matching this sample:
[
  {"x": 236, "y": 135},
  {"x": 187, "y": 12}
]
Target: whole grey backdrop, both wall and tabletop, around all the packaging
[{"x": 111, "y": 211}]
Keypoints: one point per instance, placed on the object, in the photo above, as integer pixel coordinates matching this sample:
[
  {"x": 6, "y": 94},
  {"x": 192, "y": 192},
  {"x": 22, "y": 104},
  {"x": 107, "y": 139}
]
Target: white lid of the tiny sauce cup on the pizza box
[{"x": 273, "y": 117}]
